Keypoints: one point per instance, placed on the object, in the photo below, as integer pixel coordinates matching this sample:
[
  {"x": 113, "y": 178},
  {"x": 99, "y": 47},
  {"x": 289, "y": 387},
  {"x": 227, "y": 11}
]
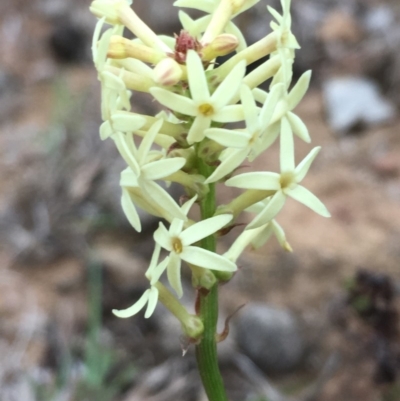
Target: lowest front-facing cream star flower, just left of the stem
[{"x": 179, "y": 242}]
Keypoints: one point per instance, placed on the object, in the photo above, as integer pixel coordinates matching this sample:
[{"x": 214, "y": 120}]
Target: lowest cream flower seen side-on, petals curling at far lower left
[{"x": 150, "y": 296}]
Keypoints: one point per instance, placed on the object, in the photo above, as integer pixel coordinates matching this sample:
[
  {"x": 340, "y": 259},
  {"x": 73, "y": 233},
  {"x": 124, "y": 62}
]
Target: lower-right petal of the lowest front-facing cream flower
[{"x": 209, "y": 260}]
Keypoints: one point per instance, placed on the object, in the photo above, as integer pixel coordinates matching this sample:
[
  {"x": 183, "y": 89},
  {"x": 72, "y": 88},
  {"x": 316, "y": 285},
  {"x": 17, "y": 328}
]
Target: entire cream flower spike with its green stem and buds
[{"x": 215, "y": 118}]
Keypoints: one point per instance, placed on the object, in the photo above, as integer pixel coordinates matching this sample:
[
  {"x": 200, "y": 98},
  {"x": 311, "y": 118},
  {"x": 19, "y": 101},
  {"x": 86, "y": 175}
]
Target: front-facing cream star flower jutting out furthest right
[{"x": 286, "y": 183}]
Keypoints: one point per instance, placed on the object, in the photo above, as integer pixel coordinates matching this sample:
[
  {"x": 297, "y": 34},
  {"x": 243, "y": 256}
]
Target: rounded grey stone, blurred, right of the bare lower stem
[{"x": 271, "y": 337}]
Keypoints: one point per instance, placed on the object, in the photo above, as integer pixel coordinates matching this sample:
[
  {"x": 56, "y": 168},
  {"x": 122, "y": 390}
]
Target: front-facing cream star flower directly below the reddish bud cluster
[{"x": 203, "y": 106}]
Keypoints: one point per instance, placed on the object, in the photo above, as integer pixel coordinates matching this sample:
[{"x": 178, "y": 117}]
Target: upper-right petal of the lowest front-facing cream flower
[{"x": 204, "y": 228}]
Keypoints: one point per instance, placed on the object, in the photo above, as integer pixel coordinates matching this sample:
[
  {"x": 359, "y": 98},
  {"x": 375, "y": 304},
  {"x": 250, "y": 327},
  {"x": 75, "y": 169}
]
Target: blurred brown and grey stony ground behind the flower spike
[{"x": 321, "y": 323}]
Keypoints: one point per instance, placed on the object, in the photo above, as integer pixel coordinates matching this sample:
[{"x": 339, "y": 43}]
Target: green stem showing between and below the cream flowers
[{"x": 206, "y": 350}]
